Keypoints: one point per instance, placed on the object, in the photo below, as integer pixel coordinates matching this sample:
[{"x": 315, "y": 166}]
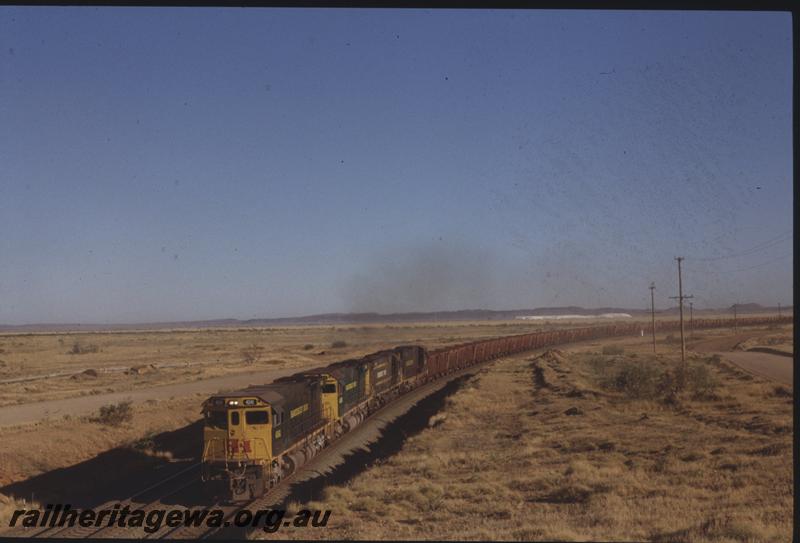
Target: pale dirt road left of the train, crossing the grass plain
[{"x": 86, "y": 405}]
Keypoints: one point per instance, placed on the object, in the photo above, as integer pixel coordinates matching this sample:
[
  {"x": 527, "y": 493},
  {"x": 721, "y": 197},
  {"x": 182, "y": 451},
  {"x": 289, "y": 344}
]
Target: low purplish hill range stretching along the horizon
[{"x": 367, "y": 318}]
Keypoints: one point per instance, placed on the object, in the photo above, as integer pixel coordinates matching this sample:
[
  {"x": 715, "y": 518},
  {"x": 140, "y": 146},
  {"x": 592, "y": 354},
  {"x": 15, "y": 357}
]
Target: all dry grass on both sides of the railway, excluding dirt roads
[{"x": 505, "y": 460}]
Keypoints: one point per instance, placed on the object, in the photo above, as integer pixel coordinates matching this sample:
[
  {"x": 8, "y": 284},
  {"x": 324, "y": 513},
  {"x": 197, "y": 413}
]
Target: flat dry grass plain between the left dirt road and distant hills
[{"x": 187, "y": 355}]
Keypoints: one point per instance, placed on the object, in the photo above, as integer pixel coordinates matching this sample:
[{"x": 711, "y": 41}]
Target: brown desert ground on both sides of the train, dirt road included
[{"x": 579, "y": 442}]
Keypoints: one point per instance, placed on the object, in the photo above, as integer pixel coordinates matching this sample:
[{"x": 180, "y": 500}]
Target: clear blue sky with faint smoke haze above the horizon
[{"x": 196, "y": 163}]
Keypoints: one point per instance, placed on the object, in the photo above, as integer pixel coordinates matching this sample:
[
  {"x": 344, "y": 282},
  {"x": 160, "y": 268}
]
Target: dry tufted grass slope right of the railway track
[{"x": 544, "y": 449}]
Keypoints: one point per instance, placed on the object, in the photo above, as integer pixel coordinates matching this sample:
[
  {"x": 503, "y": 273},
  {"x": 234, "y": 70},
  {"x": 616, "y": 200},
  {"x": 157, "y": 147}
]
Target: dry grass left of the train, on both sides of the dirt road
[{"x": 146, "y": 359}]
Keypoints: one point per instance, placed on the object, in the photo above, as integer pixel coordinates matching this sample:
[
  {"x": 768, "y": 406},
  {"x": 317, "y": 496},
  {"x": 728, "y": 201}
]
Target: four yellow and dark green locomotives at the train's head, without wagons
[{"x": 254, "y": 437}]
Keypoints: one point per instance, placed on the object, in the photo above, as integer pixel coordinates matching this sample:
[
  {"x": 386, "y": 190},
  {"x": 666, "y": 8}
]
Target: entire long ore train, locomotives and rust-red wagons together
[{"x": 255, "y": 437}]
